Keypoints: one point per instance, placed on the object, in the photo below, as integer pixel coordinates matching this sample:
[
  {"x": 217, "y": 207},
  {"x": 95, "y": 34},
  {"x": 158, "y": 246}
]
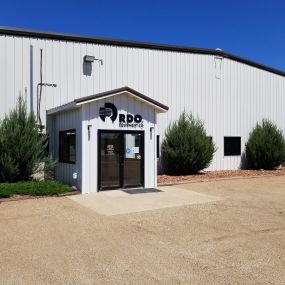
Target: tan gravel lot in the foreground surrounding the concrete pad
[{"x": 239, "y": 240}]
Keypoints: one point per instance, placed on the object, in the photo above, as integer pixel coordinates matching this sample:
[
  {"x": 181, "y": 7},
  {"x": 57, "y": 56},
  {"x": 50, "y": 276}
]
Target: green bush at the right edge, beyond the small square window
[{"x": 265, "y": 148}]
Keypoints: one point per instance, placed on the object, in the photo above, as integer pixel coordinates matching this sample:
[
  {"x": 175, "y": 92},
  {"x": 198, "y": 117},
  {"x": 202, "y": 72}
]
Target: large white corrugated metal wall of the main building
[{"x": 230, "y": 97}]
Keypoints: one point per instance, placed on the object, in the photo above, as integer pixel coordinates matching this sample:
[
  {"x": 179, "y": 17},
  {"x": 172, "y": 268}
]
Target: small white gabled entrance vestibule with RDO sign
[{"x": 106, "y": 141}]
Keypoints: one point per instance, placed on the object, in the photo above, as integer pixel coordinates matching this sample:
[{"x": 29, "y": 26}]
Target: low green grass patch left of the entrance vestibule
[{"x": 33, "y": 188}]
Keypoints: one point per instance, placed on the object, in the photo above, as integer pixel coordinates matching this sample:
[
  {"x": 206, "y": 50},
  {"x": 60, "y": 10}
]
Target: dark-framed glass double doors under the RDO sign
[{"x": 121, "y": 159}]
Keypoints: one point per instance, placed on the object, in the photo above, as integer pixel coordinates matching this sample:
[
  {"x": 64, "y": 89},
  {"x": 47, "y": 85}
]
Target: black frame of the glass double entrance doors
[{"x": 121, "y": 164}]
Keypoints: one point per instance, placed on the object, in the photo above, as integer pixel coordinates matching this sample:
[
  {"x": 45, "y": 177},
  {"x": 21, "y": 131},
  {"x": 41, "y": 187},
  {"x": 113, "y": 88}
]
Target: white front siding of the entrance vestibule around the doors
[{"x": 90, "y": 116}]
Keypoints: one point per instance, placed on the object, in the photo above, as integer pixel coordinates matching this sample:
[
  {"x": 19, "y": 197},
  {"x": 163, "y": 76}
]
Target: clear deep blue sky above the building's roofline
[{"x": 253, "y": 29}]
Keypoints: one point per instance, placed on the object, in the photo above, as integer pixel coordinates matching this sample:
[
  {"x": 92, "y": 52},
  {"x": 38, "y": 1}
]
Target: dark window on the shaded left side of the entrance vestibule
[{"x": 67, "y": 146}]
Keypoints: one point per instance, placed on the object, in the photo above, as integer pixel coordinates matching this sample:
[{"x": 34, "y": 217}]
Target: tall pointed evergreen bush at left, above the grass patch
[{"x": 21, "y": 146}]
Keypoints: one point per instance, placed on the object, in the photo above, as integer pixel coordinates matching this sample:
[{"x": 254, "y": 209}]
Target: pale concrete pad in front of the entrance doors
[{"x": 117, "y": 202}]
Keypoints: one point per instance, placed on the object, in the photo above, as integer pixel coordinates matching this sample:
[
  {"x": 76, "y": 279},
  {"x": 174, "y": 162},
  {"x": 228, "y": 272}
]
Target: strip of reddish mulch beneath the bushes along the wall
[{"x": 217, "y": 175}]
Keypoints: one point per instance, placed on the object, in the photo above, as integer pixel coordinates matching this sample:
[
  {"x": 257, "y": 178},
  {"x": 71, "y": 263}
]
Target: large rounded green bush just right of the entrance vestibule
[{"x": 186, "y": 148}]
